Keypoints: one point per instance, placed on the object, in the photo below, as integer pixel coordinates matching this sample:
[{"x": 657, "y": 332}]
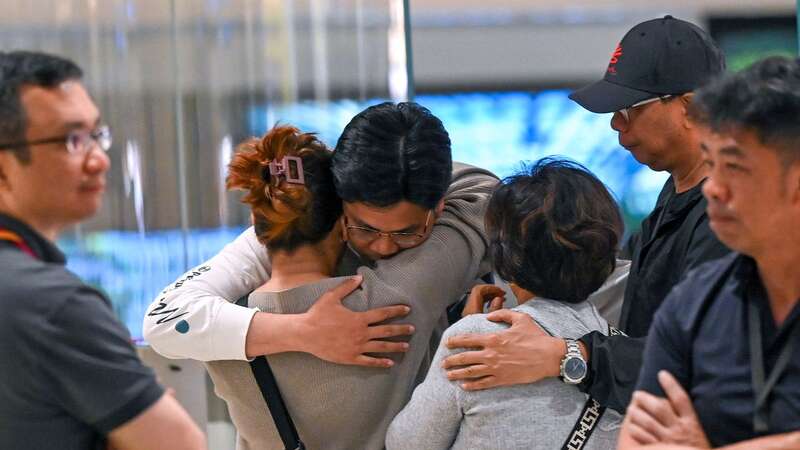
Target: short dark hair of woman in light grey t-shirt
[{"x": 554, "y": 230}]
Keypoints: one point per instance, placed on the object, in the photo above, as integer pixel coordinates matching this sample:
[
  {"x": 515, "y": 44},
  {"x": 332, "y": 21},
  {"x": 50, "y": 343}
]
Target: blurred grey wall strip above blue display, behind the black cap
[{"x": 476, "y": 45}]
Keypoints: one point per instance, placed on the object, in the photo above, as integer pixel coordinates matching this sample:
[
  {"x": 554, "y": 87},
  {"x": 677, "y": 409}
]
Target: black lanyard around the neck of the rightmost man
[{"x": 761, "y": 387}]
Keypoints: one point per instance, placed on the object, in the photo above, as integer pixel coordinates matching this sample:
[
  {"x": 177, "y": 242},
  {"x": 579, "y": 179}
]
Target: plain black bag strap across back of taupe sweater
[{"x": 272, "y": 396}]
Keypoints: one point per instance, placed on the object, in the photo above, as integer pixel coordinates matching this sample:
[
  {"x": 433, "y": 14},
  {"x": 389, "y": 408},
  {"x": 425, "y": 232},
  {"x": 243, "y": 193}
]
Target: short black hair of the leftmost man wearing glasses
[{"x": 21, "y": 68}]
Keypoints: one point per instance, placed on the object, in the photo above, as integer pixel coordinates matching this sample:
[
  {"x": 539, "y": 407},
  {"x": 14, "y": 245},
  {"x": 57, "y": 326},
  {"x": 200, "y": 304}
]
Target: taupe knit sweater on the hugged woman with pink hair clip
[{"x": 348, "y": 407}]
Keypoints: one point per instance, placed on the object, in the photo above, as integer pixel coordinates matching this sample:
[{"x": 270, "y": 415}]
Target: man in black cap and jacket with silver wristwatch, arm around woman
[{"x": 648, "y": 86}]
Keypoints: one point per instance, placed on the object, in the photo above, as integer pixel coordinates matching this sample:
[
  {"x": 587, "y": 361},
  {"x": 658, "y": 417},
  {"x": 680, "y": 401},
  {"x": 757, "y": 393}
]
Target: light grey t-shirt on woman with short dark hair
[{"x": 539, "y": 415}]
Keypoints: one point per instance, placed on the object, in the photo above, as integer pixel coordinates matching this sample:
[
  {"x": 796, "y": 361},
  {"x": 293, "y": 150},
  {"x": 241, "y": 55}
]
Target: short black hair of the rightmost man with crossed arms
[{"x": 763, "y": 98}]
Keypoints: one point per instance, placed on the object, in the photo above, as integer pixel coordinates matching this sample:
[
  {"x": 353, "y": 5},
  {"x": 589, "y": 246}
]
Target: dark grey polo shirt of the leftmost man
[{"x": 68, "y": 372}]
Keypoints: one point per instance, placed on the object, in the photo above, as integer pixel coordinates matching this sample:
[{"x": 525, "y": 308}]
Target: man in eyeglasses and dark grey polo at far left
[{"x": 69, "y": 376}]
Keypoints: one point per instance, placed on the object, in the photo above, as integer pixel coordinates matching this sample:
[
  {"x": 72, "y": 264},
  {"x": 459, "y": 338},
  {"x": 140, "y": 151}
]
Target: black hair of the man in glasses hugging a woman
[{"x": 392, "y": 152}]
